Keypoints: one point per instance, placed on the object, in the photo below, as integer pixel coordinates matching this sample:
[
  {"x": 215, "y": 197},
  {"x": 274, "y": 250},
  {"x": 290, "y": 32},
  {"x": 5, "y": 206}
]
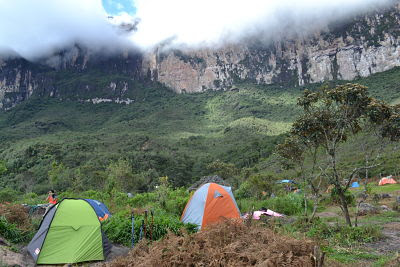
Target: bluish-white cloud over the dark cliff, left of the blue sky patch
[{"x": 37, "y": 28}]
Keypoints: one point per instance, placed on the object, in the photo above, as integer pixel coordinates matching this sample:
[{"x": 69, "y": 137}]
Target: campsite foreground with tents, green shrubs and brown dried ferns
[{"x": 282, "y": 238}]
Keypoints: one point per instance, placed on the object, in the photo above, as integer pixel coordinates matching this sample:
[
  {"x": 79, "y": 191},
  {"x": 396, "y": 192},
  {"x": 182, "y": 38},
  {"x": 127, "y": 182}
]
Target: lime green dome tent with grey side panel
[{"x": 69, "y": 233}]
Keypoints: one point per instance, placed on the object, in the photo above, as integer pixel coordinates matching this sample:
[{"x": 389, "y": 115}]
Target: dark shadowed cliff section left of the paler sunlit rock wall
[{"x": 72, "y": 74}]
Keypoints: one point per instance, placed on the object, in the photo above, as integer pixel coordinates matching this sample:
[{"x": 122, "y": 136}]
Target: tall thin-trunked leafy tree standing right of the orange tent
[{"x": 331, "y": 118}]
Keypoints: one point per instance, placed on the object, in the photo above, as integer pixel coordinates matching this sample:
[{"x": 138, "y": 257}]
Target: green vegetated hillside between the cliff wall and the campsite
[{"x": 159, "y": 134}]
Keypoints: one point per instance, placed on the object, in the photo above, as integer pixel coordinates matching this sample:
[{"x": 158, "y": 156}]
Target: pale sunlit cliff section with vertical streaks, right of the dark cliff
[{"x": 360, "y": 47}]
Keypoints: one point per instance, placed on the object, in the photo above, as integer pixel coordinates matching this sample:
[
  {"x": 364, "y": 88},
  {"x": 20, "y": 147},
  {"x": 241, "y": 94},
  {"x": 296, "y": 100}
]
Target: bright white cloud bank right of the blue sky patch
[{"x": 211, "y": 22}]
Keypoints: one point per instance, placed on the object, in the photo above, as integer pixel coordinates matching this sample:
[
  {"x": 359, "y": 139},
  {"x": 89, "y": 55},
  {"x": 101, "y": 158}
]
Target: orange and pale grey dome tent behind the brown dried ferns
[{"x": 210, "y": 204}]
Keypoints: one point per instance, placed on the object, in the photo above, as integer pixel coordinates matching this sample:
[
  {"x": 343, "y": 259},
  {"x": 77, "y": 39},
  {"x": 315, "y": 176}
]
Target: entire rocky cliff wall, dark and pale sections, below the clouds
[{"x": 362, "y": 46}]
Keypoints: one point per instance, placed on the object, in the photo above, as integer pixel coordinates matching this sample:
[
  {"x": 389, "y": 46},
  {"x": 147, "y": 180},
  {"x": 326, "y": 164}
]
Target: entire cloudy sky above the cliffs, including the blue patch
[{"x": 36, "y": 28}]
